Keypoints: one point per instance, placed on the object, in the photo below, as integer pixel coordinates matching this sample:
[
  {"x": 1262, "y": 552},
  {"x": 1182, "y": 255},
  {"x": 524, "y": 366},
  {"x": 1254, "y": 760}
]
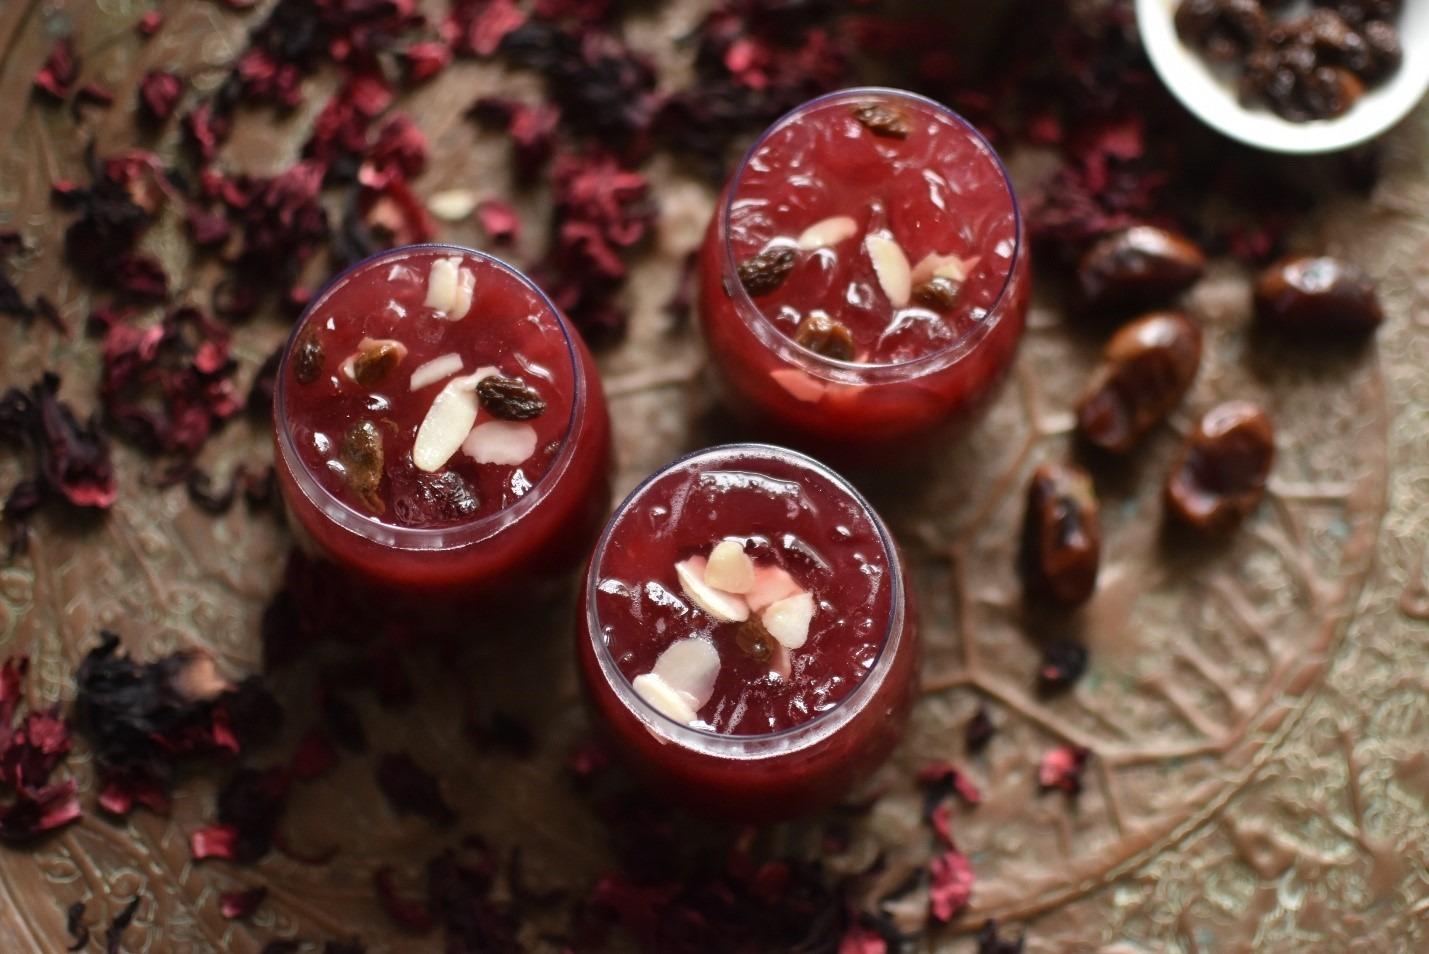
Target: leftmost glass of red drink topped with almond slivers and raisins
[{"x": 441, "y": 429}]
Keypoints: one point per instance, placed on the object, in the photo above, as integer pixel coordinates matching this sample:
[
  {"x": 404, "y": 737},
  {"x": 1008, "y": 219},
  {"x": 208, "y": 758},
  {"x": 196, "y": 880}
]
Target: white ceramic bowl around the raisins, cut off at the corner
[{"x": 1210, "y": 92}]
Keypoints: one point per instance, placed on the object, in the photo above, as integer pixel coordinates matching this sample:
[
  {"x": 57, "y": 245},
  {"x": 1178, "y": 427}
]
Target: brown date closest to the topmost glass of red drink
[{"x": 1137, "y": 268}]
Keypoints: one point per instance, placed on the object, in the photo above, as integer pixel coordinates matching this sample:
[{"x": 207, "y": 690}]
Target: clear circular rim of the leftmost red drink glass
[{"x": 425, "y": 539}]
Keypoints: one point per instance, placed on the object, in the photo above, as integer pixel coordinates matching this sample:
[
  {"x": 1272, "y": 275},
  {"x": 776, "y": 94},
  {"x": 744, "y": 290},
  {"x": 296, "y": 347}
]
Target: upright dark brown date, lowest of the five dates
[{"x": 1061, "y": 535}]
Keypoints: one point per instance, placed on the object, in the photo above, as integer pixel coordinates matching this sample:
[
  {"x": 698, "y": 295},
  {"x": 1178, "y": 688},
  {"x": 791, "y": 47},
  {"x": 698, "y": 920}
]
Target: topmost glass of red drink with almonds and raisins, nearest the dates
[{"x": 865, "y": 276}]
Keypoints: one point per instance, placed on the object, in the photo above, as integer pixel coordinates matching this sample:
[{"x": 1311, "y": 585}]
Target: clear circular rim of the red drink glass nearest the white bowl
[{"x": 787, "y": 346}]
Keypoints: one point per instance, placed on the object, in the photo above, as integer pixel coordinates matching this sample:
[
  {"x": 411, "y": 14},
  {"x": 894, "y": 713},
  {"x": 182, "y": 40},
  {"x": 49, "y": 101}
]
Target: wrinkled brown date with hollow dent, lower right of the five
[{"x": 1221, "y": 473}]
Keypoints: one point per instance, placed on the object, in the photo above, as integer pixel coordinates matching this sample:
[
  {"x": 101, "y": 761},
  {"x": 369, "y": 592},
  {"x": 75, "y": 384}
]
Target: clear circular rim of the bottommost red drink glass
[{"x": 764, "y": 745}]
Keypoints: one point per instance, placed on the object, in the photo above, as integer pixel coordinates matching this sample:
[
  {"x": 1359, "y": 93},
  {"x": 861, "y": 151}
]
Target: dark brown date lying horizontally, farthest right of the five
[{"x": 1317, "y": 295}]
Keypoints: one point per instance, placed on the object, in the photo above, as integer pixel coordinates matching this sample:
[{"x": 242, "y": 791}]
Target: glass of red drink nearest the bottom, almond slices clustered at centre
[{"x": 748, "y": 638}]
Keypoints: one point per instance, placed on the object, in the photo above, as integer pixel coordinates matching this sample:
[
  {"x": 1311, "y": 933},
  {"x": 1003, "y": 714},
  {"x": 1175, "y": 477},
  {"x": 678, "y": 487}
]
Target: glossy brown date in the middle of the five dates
[{"x": 1147, "y": 369}]
